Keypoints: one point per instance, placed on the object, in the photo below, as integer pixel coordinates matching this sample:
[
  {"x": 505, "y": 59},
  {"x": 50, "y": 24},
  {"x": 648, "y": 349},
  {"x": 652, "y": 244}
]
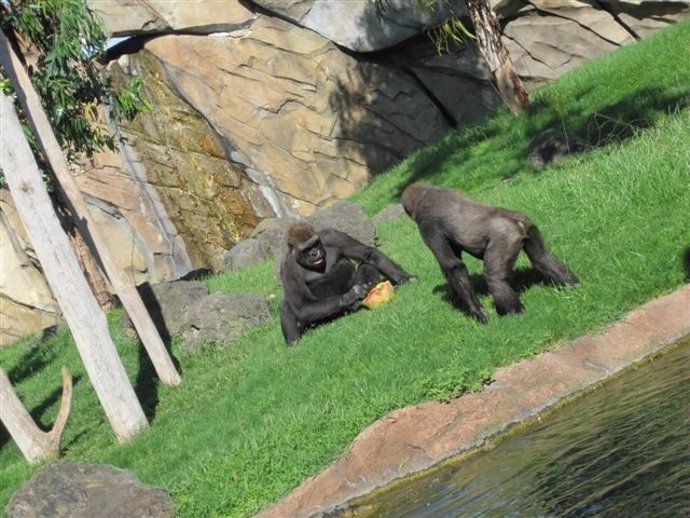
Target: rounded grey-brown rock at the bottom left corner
[{"x": 66, "y": 490}]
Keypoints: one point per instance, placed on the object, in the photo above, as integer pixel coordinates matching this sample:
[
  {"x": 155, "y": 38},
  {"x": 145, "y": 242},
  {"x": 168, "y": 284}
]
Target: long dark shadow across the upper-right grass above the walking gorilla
[{"x": 510, "y": 139}]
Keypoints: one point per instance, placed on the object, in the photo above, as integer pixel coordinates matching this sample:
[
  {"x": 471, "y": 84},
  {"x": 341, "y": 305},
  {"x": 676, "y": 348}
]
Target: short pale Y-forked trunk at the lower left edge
[{"x": 35, "y": 444}]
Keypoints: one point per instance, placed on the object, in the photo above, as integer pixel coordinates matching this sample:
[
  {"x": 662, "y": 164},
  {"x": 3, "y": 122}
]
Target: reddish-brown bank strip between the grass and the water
[{"x": 417, "y": 437}]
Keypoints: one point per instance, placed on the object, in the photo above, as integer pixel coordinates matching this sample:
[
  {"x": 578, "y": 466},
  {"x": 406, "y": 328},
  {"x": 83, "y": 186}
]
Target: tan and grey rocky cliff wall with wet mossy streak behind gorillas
[{"x": 272, "y": 108}]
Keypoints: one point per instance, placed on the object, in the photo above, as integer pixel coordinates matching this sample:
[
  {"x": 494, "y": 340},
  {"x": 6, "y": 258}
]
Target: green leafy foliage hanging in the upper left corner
[{"x": 61, "y": 42}]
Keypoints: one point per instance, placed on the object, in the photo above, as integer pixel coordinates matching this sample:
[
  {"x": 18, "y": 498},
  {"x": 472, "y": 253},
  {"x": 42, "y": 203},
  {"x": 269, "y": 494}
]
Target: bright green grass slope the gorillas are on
[{"x": 252, "y": 420}]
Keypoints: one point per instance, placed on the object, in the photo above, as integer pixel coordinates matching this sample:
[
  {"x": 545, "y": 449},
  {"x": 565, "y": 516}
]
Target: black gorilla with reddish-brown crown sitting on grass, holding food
[{"x": 320, "y": 280}]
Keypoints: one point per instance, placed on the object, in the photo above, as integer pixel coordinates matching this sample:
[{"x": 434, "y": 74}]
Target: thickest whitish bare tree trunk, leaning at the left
[{"x": 85, "y": 318}]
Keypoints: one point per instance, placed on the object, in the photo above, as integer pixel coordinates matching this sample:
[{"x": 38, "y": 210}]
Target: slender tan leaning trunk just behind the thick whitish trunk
[{"x": 128, "y": 295}]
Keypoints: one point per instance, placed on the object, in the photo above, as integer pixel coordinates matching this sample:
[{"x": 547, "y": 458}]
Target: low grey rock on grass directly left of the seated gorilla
[{"x": 221, "y": 318}]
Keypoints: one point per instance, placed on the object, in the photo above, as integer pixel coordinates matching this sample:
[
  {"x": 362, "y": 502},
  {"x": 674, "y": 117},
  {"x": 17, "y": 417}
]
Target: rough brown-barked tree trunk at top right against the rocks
[{"x": 488, "y": 34}]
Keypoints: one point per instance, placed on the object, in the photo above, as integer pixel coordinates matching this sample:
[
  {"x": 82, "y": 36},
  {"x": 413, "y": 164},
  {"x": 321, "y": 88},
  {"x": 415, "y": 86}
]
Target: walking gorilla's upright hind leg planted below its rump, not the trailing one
[{"x": 499, "y": 258}]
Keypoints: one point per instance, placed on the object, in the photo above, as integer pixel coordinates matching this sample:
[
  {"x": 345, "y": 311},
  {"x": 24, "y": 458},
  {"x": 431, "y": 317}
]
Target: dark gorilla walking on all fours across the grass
[{"x": 452, "y": 223}]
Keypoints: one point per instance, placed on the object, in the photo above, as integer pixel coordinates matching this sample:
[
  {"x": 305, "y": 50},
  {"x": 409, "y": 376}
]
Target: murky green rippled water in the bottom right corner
[{"x": 622, "y": 450}]
